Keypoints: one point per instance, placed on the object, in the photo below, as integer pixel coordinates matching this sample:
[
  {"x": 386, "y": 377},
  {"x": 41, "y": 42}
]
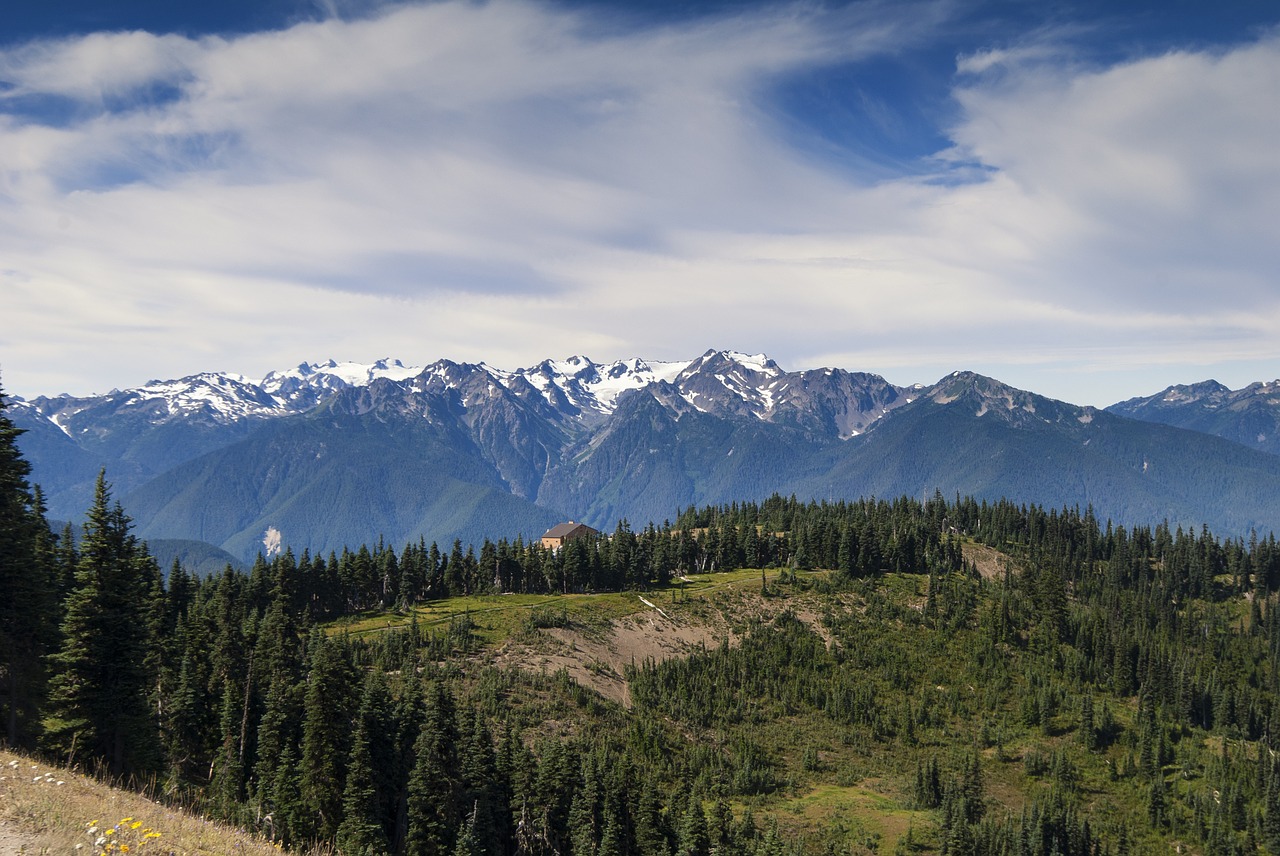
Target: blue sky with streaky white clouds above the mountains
[{"x": 1078, "y": 199}]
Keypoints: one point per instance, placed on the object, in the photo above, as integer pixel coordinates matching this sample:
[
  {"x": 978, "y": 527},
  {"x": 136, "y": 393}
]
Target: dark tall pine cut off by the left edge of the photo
[{"x": 29, "y": 606}]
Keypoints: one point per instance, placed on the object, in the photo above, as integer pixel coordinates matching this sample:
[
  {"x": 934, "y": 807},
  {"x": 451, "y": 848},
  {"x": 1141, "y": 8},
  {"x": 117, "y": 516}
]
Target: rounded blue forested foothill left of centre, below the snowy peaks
[{"x": 332, "y": 480}]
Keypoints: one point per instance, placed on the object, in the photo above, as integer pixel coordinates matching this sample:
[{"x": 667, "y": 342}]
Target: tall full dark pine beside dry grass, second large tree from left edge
[{"x": 100, "y": 686}]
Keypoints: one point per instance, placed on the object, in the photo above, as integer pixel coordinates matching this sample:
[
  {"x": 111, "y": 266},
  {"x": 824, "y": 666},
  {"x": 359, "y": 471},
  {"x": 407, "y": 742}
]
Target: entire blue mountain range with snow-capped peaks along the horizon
[{"x": 333, "y": 455}]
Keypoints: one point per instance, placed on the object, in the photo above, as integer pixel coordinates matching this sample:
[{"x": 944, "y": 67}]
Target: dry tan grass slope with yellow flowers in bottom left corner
[{"x": 49, "y": 811}]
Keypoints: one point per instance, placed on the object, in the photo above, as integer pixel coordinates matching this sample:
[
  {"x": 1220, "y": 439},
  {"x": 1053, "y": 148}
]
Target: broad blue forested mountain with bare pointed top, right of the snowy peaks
[{"x": 973, "y": 436}]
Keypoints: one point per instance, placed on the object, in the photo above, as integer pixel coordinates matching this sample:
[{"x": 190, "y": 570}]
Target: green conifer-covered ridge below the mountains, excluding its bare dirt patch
[{"x": 945, "y": 676}]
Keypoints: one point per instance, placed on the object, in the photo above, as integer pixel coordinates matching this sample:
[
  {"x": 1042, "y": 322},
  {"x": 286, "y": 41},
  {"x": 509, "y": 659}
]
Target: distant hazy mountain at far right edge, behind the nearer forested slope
[{"x": 1250, "y": 416}]
